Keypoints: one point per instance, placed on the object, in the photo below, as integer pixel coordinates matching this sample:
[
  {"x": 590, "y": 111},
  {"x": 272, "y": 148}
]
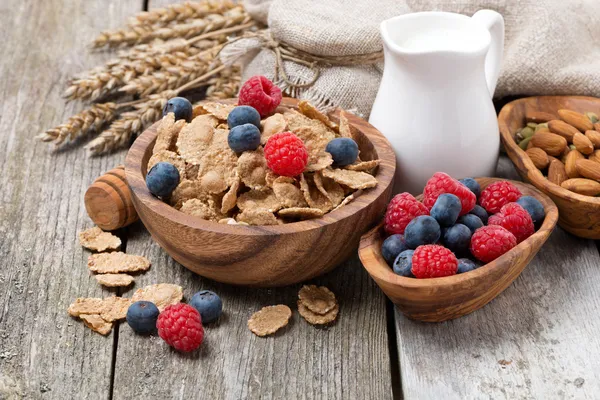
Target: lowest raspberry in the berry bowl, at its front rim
[{"x": 433, "y": 261}]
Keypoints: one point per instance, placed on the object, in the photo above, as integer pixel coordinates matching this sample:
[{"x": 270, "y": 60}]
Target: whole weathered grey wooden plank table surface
[{"x": 539, "y": 339}]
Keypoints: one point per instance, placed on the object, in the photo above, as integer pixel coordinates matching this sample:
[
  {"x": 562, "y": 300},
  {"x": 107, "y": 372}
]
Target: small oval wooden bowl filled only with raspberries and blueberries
[{"x": 441, "y": 256}]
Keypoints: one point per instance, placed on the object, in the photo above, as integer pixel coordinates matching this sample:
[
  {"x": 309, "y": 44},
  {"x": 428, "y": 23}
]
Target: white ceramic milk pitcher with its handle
[{"x": 435, "y": 100}]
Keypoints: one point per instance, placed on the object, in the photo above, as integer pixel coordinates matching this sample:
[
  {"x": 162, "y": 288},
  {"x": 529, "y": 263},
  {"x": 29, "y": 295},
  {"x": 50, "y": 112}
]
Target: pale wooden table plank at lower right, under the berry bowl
[{"x": 537, "y": 340}]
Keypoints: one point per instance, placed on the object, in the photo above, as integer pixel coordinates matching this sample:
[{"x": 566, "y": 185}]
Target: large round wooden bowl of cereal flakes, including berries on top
[{"x": 268, "y": 192}]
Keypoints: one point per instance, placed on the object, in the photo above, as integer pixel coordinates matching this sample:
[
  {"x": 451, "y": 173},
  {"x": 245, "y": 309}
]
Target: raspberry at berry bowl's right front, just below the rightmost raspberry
[{"x": 490, "y": 242}]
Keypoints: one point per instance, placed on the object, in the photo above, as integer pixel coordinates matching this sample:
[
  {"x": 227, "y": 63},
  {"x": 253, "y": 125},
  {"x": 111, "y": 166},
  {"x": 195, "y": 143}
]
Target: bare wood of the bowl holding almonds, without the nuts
[{"x": 579, "y": 214}]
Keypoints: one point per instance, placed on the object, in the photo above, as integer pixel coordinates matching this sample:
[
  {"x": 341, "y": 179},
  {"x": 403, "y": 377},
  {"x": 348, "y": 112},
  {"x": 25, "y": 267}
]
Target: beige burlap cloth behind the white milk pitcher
[{"x": 551, "y": 46}]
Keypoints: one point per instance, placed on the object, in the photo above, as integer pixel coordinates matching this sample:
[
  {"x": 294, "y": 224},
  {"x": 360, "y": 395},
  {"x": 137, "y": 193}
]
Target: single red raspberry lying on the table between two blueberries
[{"x": 180, "y": 326}]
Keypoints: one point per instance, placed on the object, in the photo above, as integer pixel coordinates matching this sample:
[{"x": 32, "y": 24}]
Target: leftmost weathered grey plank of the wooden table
[{"x": 43, "y": 352}]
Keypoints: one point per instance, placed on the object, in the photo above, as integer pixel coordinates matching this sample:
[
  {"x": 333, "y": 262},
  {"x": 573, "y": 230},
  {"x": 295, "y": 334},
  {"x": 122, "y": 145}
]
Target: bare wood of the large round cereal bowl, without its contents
[{"x": 251, "y": 255}]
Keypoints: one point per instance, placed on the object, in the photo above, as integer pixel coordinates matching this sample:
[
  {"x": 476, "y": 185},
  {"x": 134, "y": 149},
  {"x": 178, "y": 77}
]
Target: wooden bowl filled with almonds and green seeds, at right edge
[{"x": 554, "y": 142}]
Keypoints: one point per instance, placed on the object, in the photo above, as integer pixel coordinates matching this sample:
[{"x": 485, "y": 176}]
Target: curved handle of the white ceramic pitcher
[{"x": 493, "y": 22}]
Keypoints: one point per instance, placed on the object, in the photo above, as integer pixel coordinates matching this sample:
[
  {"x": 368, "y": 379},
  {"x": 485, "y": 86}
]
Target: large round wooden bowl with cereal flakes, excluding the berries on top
[{"x": 255, "y": 247}]
